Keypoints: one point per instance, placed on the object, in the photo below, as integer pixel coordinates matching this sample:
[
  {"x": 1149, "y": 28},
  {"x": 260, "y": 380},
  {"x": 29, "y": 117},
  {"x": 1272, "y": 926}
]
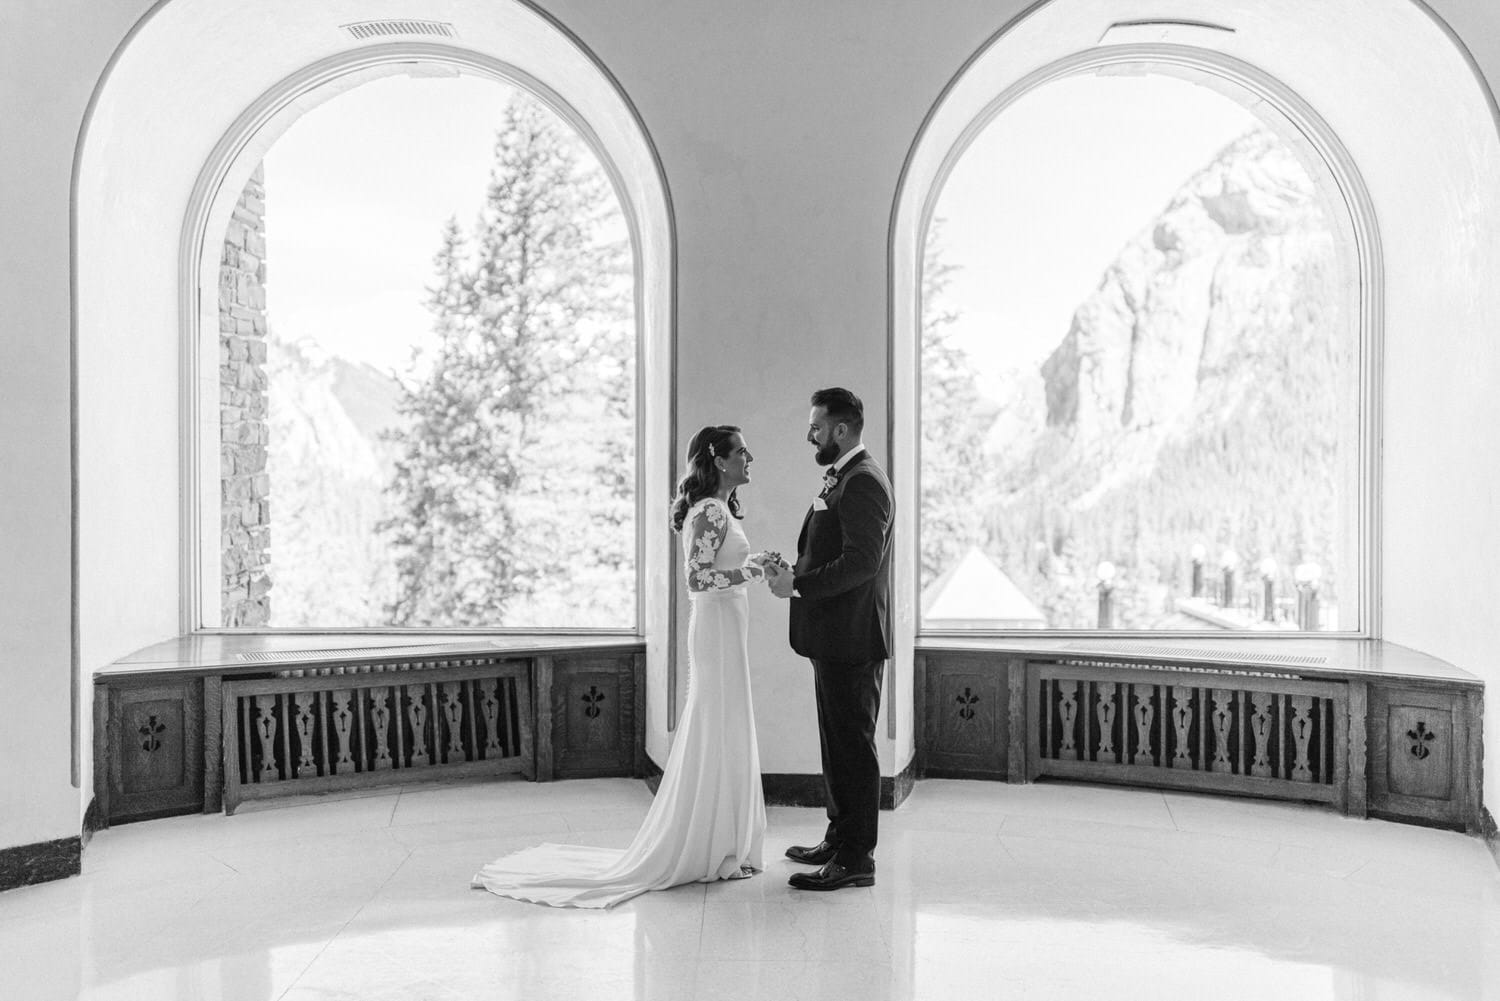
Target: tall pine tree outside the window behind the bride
[{"x": 509, "y": 431}]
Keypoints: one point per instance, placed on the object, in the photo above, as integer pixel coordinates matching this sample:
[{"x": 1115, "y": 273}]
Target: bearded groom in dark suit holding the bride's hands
[{"x": 842, "y": 621}]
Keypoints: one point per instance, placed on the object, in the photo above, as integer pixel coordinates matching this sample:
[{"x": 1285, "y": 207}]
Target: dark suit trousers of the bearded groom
[{"x": 848, "y": 706}]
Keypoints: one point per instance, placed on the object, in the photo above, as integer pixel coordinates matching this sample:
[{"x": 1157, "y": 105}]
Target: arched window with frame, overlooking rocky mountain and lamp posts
[{"x": 1145, "y": 358}]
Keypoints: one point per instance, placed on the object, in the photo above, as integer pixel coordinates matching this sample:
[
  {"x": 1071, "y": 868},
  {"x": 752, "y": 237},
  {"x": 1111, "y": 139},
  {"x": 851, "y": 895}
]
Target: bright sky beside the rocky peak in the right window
[{"x": 1054, "y": 190}]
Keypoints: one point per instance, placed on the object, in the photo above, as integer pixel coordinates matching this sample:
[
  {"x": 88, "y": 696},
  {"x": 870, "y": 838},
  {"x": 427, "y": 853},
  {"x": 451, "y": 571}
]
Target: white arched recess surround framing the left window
[{"x": 185, "y": 110}]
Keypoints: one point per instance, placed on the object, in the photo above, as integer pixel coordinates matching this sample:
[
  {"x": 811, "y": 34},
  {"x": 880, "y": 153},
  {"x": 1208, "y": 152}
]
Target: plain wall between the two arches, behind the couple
[{"x": 782, "y": 151}]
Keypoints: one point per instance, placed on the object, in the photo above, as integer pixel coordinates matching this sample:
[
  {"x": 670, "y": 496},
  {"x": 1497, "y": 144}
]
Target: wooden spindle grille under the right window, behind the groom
[{"x": 1256, "y": 735}]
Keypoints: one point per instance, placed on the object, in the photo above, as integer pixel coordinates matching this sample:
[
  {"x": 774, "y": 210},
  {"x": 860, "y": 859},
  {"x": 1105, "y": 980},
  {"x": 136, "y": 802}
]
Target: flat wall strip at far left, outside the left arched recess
[{"x": 50, "y": 58}]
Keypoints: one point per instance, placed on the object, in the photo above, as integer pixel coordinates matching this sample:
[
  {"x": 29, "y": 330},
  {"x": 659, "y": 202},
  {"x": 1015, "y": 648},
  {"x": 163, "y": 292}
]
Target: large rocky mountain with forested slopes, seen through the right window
[{"x": 1201, "y": 395}]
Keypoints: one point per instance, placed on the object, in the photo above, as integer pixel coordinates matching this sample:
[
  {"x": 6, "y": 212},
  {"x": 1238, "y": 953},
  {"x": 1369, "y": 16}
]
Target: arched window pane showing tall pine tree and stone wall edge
[{"x": 427, "y": 370}]
